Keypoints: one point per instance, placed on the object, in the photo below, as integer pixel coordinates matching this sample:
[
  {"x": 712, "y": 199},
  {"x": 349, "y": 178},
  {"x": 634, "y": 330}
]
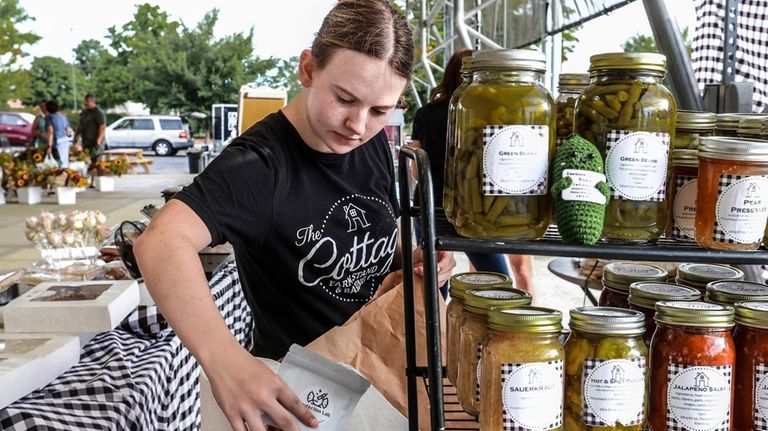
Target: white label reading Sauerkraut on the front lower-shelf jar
[{"x": 532, "y": 395}]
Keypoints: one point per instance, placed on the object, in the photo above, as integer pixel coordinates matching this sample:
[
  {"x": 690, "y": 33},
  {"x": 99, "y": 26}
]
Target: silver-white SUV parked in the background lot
[{"x": 163, "y": 134}]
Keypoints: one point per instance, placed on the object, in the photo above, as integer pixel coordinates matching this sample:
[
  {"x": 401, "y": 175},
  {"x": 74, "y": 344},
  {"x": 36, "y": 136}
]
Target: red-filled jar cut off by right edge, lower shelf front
[{"x": 751, "y": 380}]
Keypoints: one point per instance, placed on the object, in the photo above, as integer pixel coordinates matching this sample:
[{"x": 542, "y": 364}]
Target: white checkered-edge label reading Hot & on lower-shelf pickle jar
[{"x": 613, "y": 392}]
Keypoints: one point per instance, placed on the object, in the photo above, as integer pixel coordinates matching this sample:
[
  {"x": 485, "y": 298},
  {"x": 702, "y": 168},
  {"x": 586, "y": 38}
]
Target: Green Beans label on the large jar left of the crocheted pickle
[{"x": 515, "y": 160}]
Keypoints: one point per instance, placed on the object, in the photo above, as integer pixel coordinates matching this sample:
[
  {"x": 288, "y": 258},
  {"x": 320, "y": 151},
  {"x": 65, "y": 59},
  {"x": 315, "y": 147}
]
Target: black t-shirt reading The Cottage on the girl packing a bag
[{"x": 313, "y": 233}]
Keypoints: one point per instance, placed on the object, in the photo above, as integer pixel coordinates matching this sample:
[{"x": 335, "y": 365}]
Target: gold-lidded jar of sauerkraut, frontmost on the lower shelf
[{"x": 522, "y": 370}]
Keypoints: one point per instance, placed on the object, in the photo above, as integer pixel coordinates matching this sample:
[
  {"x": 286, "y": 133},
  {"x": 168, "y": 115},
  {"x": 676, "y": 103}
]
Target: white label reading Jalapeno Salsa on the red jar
[{"x": 698, "y": 398}]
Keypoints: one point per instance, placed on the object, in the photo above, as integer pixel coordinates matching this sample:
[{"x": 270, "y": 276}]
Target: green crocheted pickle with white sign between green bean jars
[{"x": 578, "y": 221}]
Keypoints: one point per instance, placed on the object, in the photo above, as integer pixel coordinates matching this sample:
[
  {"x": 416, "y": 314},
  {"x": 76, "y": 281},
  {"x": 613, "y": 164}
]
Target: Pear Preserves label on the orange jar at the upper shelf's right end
[{"x": 741, "y": 210}]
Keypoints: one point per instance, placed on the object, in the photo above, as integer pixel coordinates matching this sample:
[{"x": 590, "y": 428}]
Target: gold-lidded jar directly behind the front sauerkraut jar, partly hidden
[{"x": 472, "y": 332}]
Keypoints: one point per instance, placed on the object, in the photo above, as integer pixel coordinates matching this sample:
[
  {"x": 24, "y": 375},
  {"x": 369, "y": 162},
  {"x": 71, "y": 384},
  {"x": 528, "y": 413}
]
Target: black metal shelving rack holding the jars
[{"x": 438, "y": 234}]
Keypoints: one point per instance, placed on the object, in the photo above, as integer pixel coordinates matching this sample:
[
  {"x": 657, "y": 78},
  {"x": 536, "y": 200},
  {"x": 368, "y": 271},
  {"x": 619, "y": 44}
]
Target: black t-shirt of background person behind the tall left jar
[{"x": 430, "y": 127}]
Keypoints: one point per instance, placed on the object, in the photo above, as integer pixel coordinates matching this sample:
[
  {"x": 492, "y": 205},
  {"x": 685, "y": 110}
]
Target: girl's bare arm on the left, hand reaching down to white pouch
[{"x": 243, "y": 386}]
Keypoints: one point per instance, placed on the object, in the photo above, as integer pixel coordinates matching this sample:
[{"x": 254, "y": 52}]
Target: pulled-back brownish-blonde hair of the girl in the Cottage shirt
[{"x": 371, "y": 27}]
